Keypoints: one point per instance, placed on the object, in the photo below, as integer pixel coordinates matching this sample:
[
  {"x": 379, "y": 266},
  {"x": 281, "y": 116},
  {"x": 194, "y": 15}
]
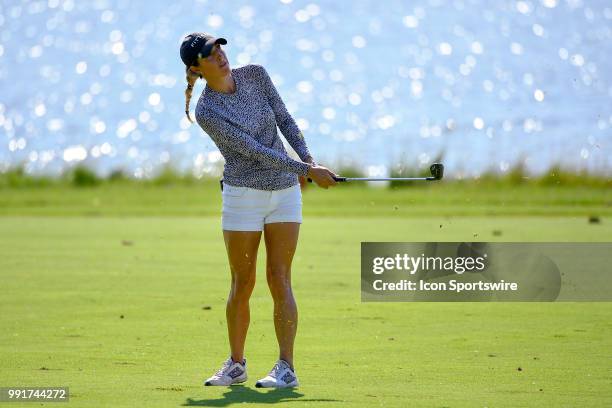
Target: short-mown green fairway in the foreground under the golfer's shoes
[{"x": 129, "y": 311}]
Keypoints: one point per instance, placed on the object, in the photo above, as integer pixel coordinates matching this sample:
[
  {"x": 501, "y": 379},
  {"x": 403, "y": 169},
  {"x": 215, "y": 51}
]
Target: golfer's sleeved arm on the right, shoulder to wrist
[{"x": 284, "y": 120}]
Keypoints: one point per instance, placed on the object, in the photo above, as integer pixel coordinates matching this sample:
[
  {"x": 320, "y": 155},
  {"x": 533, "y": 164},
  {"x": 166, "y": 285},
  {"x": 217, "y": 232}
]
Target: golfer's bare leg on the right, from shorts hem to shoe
[{"x": 281, "y": 240}]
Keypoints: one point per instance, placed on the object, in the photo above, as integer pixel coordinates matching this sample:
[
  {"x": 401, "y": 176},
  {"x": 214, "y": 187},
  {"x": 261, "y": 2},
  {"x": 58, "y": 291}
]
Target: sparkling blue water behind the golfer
[{"x": 484, "y": 84}]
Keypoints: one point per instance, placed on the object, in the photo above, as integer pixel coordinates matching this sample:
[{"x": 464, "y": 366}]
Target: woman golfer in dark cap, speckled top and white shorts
[{"x": 240, "y": 110}]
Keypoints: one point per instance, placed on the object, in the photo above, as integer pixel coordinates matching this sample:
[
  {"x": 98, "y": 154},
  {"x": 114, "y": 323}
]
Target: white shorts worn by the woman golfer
[{"x": 248, "y": 209}]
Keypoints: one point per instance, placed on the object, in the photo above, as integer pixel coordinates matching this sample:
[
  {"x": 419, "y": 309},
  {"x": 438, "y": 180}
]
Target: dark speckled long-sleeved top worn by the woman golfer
[{"x": 243, "y": 126}]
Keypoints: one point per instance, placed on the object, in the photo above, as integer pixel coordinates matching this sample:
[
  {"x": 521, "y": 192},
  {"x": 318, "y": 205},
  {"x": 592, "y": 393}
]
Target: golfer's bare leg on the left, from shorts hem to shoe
[{"x": 242, "y": 255}]
